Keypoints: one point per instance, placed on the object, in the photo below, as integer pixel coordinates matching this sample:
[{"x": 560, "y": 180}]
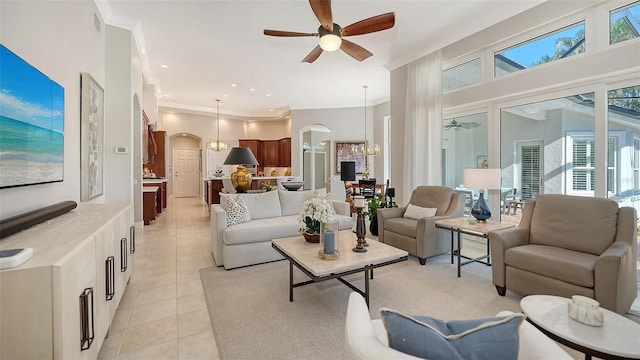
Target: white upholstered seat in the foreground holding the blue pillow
[{"x": 366, "y": 338}]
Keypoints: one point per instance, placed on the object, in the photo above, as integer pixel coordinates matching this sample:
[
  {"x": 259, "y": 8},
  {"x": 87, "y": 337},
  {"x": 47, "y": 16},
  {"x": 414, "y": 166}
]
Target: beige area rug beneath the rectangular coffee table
[{"x": 252, "y": 317}]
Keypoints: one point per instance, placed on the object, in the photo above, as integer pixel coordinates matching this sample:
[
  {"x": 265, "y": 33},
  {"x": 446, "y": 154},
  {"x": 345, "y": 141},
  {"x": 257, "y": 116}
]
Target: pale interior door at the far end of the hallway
[{"x": 185, "y": 172}]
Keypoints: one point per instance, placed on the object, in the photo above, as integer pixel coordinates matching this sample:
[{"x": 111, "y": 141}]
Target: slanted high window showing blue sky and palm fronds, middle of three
[{"x": 557, "y": 45}]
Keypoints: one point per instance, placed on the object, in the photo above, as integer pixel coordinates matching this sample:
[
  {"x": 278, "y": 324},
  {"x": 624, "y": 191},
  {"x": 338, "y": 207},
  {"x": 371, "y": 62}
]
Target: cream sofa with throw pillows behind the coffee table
[{"x": 274, "y": 214}]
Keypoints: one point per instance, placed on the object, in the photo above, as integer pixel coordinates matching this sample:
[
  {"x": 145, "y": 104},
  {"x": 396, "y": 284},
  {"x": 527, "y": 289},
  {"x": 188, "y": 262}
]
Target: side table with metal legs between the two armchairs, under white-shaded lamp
[{"x": 466, "y": 225}]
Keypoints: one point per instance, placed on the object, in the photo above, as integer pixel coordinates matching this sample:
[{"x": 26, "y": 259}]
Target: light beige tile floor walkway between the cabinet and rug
[{"x": 163, "y": 313}]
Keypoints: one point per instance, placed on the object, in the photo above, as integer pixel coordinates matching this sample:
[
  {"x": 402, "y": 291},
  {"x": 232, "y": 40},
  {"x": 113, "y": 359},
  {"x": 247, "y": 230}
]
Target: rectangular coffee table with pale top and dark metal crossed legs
[{"x": 305, "y": 257}]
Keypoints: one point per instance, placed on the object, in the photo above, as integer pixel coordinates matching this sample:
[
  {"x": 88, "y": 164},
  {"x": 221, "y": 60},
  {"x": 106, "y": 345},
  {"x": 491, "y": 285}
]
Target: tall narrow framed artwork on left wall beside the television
[{"x": 91, "y": 137}]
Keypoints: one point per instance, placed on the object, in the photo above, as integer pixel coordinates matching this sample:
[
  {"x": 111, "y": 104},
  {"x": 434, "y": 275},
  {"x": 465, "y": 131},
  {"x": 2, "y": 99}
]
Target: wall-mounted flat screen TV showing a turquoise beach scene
[{"x": 31, "y": 124}]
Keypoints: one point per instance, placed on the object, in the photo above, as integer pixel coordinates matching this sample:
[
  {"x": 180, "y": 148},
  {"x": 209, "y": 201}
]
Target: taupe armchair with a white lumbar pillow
[{"x": 420, "y": 237}]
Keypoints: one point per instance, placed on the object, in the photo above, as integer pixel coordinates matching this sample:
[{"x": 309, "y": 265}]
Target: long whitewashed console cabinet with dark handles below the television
[{"x": 60, "y": 303}]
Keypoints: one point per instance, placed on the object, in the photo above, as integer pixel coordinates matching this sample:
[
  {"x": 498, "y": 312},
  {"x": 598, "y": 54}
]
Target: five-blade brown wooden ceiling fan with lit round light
[{"x": 332, "y": 35}]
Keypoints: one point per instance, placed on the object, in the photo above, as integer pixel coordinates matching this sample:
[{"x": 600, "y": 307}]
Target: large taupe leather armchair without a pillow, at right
[{"x": 569, "y": 245}]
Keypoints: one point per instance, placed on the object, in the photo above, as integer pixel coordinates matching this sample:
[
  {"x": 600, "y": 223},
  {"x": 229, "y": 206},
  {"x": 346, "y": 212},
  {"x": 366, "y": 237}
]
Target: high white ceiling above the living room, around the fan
[{"x": 215, "y": 49}]
